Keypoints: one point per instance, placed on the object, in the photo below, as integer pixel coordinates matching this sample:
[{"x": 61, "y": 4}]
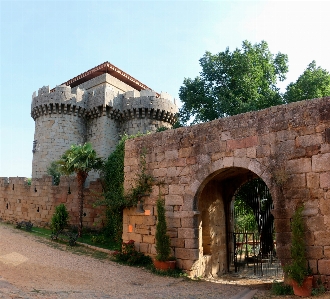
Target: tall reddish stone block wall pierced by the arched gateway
[{"x": 202, "y": 167}]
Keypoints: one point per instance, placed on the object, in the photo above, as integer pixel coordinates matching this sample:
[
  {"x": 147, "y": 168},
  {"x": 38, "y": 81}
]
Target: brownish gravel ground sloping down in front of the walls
[{"x": 34, "y": 267}]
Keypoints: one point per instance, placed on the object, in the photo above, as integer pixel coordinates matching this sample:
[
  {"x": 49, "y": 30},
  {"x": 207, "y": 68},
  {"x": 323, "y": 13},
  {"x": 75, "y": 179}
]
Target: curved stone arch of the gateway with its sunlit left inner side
[{"x": 212, "y": 201}]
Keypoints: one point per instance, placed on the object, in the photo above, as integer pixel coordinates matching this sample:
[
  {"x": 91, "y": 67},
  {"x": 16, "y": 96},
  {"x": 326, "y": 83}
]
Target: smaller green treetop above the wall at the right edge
[{"x": 313, "y": 83}]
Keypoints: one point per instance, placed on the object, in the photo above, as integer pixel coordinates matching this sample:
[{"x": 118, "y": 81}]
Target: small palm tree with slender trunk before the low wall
[{"x": 80, "y": 159}]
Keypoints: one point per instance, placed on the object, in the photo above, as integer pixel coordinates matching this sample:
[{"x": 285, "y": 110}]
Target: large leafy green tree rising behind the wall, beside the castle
[{"x": 233, "y": 82}]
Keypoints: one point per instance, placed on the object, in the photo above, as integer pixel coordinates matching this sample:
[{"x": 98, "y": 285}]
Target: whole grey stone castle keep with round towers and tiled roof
[{"x": 97, "y": 106}]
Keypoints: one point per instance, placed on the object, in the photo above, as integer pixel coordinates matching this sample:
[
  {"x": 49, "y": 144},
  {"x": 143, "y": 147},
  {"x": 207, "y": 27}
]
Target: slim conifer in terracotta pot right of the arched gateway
[{"x": 298, "y": 270}]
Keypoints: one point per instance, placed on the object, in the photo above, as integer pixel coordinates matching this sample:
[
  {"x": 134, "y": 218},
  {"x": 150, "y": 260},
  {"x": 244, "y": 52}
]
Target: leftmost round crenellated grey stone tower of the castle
[{"x": 59, "y": 122}]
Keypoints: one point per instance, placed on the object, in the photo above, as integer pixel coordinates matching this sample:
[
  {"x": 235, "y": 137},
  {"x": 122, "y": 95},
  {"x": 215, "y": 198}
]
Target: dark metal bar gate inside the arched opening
[{"x": 251, "y": 238}]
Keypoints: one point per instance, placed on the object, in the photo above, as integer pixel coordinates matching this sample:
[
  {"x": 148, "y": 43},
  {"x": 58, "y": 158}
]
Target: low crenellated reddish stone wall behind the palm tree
[{"x": 36, "y": 202}]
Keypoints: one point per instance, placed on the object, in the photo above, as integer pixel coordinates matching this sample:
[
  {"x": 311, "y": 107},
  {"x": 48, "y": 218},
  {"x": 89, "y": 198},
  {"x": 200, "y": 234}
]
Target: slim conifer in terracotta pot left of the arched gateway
[{"x": 163, "y": 260}]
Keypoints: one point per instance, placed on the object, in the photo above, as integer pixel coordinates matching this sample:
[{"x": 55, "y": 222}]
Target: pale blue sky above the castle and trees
[{"x": 157, "y": 42}]
